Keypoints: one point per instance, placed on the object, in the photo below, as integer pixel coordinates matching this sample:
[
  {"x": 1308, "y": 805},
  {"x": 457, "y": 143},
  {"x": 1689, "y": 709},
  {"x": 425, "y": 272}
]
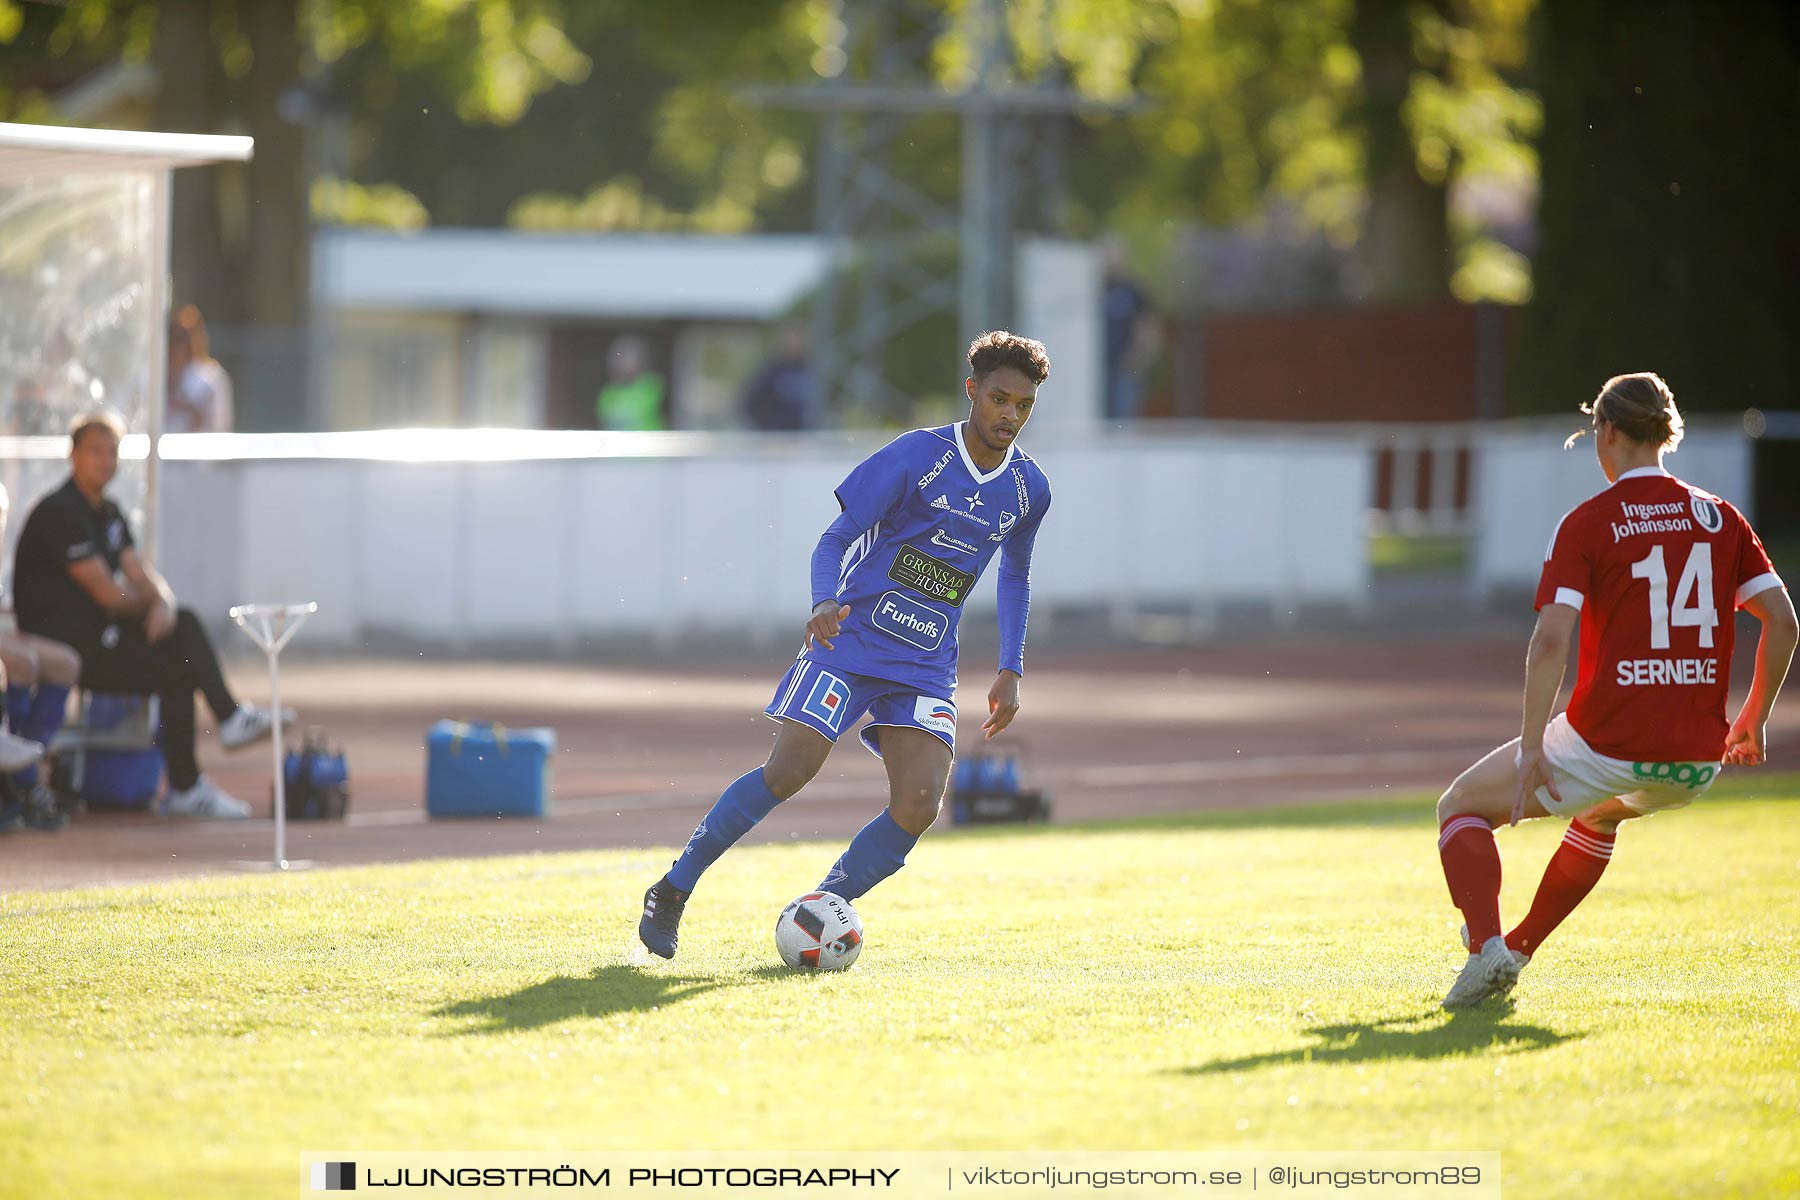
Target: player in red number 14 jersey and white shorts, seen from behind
[{"x": 1655, "y": 571}]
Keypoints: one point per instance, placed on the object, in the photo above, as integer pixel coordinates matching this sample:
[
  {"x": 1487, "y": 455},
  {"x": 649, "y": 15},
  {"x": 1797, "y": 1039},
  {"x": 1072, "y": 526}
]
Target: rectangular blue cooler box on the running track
[{"x": 489, "y": 771}]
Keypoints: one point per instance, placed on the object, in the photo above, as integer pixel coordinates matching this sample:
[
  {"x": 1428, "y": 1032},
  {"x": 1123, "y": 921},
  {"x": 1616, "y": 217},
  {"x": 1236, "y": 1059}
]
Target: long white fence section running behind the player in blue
[{"x": 503, "y": 537}]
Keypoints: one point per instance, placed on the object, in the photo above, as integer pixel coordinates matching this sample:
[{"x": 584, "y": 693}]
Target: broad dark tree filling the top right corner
[{"x": 1668, "y": 215}]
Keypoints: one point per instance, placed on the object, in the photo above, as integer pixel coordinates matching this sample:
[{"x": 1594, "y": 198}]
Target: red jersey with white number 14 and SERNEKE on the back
[{"x": 1659, "y": 571}]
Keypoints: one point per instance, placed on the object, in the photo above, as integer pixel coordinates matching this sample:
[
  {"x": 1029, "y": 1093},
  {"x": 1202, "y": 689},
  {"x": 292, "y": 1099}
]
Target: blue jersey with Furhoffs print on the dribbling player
[{"x": 931, "y": 524}]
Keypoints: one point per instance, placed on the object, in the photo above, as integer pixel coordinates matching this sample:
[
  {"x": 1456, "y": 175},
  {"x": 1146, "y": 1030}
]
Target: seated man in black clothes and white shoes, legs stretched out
[{"x": 80, "y": 580}]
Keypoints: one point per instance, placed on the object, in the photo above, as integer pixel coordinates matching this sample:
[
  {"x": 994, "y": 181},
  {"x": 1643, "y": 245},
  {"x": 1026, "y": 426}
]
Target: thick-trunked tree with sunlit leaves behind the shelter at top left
[{"x": 242, "y": 242}]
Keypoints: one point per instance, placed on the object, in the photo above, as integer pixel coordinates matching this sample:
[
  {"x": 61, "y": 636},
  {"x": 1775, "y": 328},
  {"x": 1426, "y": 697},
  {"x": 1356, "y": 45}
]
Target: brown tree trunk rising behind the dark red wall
[{"x": 1405, "y": 247}]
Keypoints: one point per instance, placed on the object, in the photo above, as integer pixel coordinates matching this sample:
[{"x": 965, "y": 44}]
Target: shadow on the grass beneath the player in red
[{"x": 1432, "y": 1034}]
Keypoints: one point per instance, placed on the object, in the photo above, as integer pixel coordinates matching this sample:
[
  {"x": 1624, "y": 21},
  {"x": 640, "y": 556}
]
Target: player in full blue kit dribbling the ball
[{"x": 921, "y": 519}]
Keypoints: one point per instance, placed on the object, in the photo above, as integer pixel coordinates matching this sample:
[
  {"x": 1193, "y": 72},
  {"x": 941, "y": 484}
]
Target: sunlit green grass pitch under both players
[{"x": 1237, "y": 981}]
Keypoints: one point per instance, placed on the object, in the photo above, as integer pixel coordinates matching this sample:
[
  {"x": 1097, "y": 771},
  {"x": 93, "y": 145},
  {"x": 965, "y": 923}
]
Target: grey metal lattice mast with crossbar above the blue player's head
[{"x": 877, "y": 75}]
